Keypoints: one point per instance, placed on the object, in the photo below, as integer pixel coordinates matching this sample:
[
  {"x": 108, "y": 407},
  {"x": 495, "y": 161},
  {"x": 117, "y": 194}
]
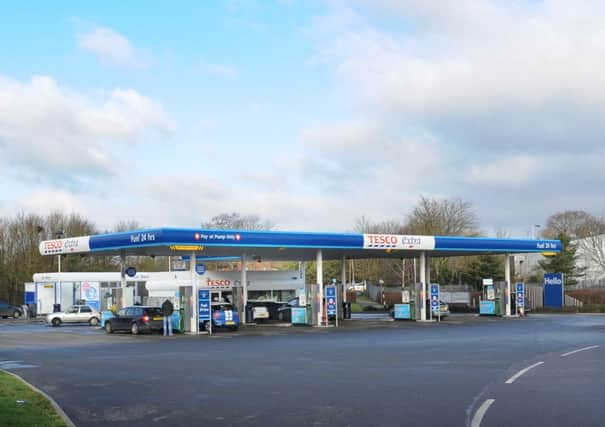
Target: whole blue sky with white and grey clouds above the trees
[{"x": 307, "y": 113}]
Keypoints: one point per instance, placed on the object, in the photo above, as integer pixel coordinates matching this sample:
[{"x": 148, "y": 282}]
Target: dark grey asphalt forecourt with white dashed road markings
[{"x": 543, "y": 370}]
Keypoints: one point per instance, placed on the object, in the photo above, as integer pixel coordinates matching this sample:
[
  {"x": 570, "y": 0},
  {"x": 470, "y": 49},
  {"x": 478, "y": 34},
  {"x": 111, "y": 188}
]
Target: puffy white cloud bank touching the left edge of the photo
[{"x": 52, "y": 131}]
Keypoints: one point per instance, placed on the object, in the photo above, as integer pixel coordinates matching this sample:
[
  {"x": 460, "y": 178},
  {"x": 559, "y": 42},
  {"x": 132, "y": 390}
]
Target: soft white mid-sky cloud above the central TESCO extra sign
[{"x": 356, "y": 155}]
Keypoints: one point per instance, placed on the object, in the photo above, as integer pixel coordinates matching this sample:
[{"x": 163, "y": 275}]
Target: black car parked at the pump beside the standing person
[{"x": 136, "y": 319}]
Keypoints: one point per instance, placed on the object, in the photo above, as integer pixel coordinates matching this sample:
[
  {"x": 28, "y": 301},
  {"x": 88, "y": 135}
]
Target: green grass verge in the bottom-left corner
[{"x": 35, "y": 411}]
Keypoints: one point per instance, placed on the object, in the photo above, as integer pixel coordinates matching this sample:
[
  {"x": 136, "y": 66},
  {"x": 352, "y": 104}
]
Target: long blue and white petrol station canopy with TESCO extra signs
[{"x": 287, "y": 245}]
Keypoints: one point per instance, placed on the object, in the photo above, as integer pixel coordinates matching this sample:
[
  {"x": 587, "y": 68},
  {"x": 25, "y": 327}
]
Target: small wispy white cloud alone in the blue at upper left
[{"x": 112, "y": 48}]
